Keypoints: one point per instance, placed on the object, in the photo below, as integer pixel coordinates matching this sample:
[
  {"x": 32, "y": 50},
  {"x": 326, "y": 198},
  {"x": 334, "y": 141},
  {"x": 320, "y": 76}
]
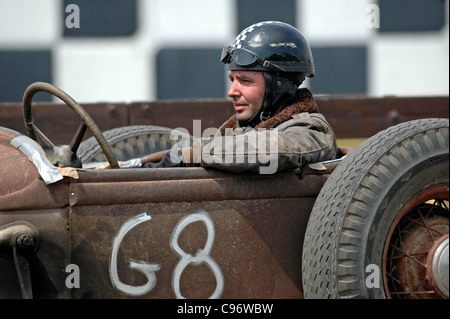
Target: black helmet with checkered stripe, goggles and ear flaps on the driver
[{"x": 281, "y": 52}]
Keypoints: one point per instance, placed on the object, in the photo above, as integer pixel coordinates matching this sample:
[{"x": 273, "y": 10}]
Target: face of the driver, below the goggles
[{"x": 247, "y": 93}]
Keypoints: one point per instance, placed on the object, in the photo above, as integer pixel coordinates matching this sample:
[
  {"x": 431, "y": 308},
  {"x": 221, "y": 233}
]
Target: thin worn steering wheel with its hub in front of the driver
[{"x": 65, "y": 155}]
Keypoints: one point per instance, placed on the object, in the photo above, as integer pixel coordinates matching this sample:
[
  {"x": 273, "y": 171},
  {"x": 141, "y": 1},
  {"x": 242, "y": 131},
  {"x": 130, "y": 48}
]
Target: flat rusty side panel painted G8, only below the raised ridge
[{"x": 240, "y": 249}]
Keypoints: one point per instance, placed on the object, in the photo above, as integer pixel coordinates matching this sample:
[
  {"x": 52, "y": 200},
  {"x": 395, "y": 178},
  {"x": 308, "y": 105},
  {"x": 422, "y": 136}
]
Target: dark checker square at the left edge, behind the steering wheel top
[{"x": 19, "y": 69}]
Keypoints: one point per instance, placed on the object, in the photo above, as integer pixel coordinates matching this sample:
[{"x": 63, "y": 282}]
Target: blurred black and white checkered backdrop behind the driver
[{"x": 135, "y": 50}]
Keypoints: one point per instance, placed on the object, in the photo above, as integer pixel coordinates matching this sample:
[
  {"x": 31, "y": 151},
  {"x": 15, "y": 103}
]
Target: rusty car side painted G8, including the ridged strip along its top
[{"x": 248, "y": 231}]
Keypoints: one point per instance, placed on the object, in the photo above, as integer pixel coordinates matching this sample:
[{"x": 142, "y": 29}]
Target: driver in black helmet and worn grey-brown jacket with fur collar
[{"x": 277, "y": 124}]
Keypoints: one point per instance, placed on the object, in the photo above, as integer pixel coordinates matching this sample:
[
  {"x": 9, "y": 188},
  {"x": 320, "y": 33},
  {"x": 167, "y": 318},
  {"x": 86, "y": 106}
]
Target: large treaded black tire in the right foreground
[{"x": 379, "y": 184}]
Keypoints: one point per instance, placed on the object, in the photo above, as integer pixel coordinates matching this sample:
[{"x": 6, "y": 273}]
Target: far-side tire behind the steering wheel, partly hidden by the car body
[{"x": 131, "y": 142}]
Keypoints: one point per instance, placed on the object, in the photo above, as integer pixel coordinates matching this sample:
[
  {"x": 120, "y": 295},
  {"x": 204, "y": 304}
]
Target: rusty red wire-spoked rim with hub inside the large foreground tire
[{"x": 416, "y": 242}]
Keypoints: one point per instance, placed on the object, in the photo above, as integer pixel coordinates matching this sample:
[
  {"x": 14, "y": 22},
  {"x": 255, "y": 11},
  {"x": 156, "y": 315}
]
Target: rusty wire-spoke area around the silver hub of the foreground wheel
[{"x": 413, "y": 236}]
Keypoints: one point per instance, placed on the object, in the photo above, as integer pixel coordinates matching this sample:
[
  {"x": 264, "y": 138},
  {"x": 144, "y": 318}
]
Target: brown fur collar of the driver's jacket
[{"x": 303, "y": 102}]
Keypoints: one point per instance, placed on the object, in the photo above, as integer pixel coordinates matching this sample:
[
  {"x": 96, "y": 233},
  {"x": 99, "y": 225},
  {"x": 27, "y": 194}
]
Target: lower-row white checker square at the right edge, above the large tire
[{"x": 415, "y": 65}]
